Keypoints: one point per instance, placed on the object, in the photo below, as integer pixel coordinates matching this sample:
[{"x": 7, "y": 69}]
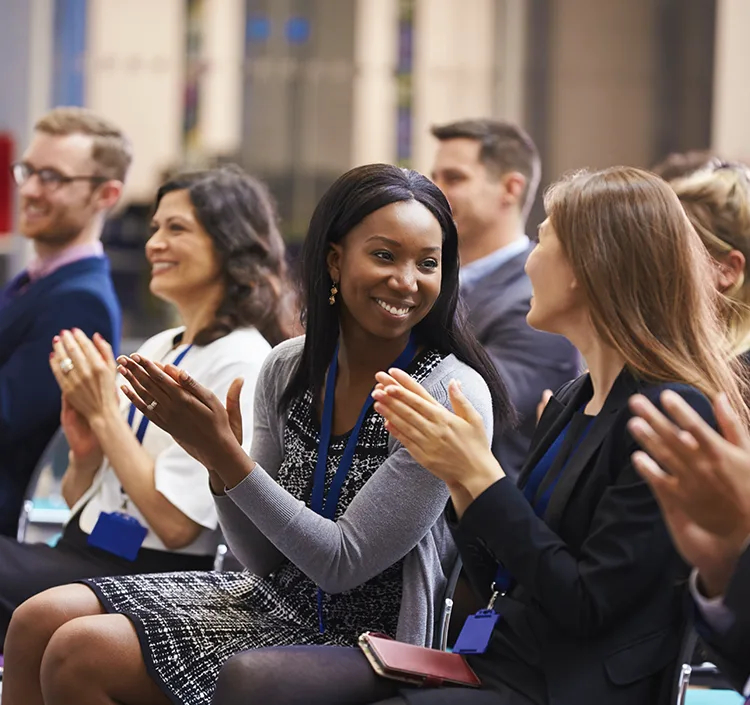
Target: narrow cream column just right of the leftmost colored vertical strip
[{"x": 223, "y": 50}]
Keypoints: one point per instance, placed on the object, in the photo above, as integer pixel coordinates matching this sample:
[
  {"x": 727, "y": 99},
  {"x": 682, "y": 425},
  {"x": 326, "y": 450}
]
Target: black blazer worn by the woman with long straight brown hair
[{"x": 597, "y": 611}]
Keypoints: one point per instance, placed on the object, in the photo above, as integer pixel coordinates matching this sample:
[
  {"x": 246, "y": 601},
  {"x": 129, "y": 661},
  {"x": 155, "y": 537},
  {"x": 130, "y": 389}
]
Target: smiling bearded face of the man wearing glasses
[{"x": 51, "y": 214}]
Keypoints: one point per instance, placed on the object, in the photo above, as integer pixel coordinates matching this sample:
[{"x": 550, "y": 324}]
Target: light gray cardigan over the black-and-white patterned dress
[{"x": 397, "y": 514}]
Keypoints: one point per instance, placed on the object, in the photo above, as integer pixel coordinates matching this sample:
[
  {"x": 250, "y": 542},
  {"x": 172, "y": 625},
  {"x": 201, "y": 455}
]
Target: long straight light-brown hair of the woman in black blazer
[{"x": 647, "y": 278}]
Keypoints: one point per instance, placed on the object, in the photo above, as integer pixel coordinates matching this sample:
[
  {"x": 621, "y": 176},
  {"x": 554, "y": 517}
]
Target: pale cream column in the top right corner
[{"x": 731, "y": 106}]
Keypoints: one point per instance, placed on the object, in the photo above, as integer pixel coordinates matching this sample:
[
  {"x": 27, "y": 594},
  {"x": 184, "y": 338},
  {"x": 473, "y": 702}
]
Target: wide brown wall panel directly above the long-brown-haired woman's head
[{"x": 600, "y": 107}]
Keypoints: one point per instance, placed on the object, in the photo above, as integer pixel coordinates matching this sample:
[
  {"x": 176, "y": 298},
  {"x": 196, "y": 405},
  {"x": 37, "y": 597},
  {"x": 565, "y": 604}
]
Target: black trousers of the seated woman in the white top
[{"x": 30, "y": 568}]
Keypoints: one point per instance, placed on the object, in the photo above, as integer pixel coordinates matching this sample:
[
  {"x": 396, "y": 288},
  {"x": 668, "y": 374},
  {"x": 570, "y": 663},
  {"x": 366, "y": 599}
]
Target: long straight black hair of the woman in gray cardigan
[{"x": 347, "y": 203}]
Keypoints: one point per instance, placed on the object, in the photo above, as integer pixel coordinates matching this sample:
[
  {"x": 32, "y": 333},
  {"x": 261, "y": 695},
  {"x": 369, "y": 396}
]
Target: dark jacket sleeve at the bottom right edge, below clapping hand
[{"x": 731, "y": 650}]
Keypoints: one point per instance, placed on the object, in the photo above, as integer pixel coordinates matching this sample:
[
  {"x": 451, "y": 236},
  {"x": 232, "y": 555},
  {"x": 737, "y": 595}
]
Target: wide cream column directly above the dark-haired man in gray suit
[{"x": 454, "y": 67}]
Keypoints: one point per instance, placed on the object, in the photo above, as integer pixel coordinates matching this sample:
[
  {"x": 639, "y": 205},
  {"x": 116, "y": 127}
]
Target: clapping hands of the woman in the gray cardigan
[{"x": 187, "y": 411}]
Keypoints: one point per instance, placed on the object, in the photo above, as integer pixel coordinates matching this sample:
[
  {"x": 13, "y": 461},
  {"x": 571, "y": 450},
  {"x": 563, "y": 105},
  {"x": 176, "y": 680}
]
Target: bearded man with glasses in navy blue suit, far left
[{"x": 68, "y": 179}]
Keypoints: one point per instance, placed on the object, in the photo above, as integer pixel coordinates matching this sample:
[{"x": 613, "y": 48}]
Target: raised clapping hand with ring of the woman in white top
[{"x": 89, "y": 383}]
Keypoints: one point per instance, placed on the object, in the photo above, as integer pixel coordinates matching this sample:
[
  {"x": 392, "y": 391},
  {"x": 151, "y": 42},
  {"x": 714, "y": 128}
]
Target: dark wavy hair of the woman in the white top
[{"x": 238, "y": 214}]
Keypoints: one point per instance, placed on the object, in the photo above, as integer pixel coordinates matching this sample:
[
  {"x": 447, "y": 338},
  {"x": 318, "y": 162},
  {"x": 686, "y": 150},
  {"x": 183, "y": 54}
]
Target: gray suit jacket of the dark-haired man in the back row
[{"x": 528, "y": 360}]
